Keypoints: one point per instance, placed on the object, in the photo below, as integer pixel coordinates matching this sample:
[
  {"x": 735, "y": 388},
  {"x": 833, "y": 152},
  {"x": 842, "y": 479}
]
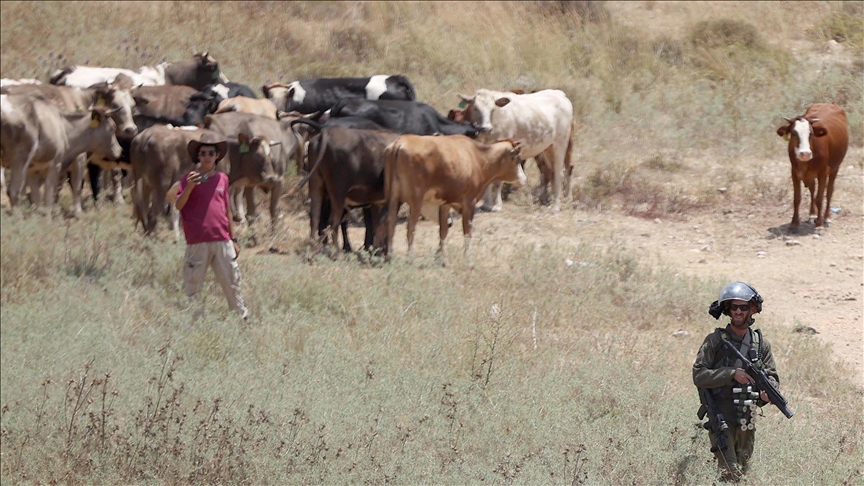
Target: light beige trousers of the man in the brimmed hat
[{"x": 221, "y": 257}]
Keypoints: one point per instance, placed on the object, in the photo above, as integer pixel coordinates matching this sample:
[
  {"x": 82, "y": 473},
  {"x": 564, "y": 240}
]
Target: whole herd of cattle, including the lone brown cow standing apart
[{"x": 364, "y": 143}]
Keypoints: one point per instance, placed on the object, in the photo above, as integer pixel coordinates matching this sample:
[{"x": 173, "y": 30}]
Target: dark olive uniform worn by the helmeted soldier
[{"x": 713, "y": 369}]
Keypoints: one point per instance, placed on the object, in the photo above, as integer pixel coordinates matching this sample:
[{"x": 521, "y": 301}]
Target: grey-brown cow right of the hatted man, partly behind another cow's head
[{"x": 285, "y": 146}]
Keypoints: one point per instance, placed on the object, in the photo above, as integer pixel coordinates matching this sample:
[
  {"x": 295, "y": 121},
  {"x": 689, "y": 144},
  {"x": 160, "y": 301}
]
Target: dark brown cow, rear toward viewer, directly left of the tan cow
[{"x": 348, "y": 171}]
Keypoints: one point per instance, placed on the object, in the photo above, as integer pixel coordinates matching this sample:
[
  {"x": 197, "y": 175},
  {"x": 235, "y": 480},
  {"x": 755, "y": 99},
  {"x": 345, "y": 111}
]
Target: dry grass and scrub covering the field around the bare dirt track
[{"x": 519, "y": 370}]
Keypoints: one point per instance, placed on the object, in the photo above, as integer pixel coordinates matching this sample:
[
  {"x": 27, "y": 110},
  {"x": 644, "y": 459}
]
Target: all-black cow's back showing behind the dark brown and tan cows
[{"x": 407, "y": 117}]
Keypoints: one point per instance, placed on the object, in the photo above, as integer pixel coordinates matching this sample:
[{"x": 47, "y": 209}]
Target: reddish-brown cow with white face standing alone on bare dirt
[{"x": 818, "y": 141}]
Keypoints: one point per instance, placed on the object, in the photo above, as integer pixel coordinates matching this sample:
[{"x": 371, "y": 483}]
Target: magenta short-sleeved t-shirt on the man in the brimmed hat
[{"x": 205, "y": 215}]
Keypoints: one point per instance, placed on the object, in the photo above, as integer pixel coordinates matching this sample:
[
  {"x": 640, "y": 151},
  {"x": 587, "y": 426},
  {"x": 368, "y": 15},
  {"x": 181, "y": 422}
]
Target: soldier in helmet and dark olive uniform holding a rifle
[{"x": 732, "y": 389}]
